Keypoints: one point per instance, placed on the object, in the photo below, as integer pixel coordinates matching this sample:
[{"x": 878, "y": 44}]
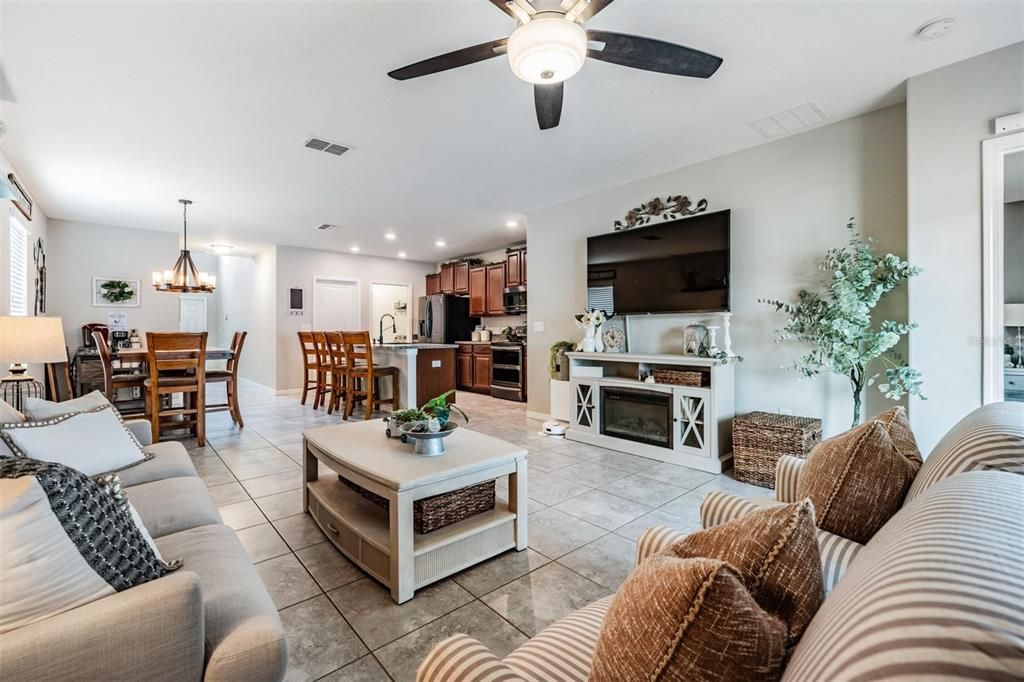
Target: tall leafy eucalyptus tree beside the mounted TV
[{"x": 837, "y": 322}]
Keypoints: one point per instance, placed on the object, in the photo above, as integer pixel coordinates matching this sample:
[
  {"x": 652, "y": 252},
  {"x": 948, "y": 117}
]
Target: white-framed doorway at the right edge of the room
[{"x": 1003, "y": 191}]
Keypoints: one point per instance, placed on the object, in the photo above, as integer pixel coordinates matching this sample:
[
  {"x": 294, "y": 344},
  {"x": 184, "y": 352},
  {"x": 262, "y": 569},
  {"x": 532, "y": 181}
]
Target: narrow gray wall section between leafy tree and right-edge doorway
[{"x": 949, "y": 114}]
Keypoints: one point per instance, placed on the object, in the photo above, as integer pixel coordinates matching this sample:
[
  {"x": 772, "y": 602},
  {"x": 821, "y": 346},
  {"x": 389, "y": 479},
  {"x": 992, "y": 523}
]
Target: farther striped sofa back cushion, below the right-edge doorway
[{"x": 991, "y": 438}]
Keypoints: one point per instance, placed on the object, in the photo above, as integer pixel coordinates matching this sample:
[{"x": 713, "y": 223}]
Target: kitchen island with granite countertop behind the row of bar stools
[{"x": 425, "y": 370}]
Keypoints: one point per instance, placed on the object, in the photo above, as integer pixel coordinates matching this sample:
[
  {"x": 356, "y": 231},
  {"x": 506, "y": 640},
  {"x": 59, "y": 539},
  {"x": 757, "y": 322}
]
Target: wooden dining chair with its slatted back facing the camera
[{"x": 178, "y": 365}]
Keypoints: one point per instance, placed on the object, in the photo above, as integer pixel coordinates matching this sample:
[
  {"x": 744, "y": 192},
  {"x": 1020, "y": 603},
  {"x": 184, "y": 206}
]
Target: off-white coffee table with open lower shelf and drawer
[{"x": 382, "y": 542}]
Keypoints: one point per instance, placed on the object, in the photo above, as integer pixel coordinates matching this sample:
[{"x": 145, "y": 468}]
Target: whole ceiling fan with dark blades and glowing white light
[{"x": 550, "y": 47}]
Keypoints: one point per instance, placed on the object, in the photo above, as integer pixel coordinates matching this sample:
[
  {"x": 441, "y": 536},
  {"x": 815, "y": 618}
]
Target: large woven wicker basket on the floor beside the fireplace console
[{"x": 760, "y": 439}]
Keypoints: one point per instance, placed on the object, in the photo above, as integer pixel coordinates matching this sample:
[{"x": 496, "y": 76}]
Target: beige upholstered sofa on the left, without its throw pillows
[{"x": 212, "y": 620}]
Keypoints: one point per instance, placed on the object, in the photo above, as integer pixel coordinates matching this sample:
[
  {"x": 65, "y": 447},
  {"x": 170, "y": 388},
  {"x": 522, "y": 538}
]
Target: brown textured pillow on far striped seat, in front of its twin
[{"x": 858, "y": 482}]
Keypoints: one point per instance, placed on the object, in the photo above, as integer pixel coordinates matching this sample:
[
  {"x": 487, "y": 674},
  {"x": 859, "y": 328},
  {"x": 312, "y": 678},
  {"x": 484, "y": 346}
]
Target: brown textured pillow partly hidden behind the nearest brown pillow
[{"x": 776, "y": 551}]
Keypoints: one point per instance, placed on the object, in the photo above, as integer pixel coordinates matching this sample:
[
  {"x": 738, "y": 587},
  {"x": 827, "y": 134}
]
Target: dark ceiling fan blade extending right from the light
[{"x": 652, "y": 55}]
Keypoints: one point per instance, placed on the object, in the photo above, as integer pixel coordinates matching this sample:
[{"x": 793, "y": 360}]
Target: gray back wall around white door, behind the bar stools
[{"x": 297, "y": 268}]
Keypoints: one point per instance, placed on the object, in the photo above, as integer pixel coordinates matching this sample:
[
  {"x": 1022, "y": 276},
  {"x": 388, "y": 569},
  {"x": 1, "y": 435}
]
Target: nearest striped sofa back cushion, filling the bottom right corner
[{"x": 937, "y": 594}]
